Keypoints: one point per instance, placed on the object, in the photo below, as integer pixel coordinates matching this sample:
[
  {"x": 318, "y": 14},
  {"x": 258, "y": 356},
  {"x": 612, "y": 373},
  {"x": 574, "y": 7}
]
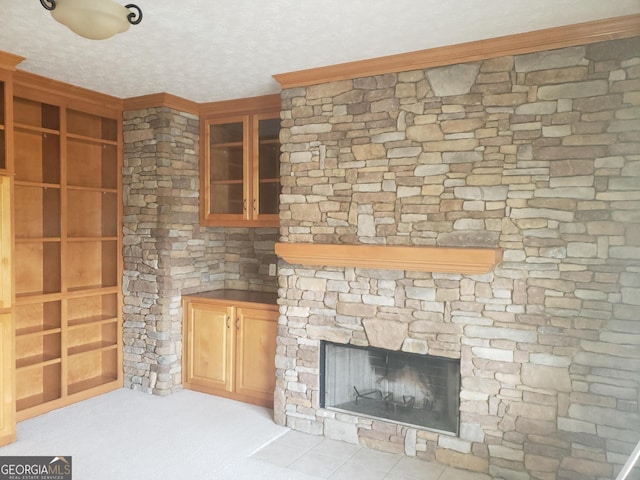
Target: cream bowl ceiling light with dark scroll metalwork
[{"x": 94, "y": 19}]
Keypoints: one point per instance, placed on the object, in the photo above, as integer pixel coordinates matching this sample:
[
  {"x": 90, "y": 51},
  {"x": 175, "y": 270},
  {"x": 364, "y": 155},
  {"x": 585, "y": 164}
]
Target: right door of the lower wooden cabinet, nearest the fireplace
[{"x": 255, "y": 358}]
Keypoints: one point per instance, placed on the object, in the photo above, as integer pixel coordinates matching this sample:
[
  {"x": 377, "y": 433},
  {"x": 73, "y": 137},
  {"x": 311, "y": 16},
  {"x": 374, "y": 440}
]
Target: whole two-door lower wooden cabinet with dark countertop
[{"x": 230, "y": 344}]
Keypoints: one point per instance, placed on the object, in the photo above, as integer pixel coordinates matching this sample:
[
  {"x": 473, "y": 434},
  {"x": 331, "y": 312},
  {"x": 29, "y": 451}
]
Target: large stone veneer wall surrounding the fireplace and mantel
[{"x": 537, "y": 154}]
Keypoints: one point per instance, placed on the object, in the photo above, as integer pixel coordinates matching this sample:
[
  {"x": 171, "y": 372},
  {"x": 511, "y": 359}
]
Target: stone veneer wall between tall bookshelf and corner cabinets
[{"x": 166, "y": 252}]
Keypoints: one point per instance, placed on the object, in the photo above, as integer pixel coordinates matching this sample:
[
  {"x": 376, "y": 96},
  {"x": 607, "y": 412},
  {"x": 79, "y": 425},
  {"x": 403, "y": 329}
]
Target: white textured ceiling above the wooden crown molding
[{"x": 221, "y": 49}]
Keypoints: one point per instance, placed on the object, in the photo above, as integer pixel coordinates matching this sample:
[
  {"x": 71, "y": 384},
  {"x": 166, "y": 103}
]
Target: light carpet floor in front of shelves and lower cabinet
[{"x": 131, "y": 435}]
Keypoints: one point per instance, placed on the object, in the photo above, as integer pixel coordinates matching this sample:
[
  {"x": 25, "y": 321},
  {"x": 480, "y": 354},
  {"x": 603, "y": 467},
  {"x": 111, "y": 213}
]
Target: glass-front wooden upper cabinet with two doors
[{"x": 241, "y": 171}]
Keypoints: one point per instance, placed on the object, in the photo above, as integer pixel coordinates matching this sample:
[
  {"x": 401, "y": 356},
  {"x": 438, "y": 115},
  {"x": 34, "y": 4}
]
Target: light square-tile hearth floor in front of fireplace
[{"x": 321, "y": 457}]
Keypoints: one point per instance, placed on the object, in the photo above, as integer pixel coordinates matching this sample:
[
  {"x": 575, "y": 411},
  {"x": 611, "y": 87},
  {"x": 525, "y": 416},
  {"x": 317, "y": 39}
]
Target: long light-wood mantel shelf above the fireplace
[{"x": 391, "y": 257}]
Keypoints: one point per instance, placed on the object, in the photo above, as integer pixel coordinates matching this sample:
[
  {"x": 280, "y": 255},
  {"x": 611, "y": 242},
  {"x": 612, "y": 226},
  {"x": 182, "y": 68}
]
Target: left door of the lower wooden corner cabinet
[{"x": 209, "y": 346}]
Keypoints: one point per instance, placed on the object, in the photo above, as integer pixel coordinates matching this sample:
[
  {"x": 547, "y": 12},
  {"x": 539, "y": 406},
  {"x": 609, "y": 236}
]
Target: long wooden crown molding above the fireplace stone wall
[{"x": 529, "y": 42}]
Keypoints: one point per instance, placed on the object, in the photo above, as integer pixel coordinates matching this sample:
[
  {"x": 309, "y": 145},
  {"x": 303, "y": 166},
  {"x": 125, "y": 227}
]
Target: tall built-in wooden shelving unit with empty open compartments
[{"x": 67, "y": 253}]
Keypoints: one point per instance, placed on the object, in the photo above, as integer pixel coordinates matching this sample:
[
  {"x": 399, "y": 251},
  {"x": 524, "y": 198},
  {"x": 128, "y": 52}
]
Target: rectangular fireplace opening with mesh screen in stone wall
[{"x": 407, "y": 388}]
